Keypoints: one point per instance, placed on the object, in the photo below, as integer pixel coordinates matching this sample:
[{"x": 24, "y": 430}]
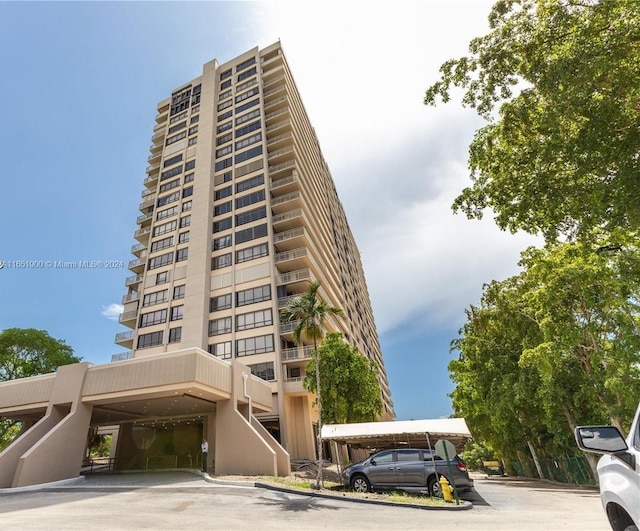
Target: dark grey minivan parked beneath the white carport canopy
[{"x": 406, "y": 469}]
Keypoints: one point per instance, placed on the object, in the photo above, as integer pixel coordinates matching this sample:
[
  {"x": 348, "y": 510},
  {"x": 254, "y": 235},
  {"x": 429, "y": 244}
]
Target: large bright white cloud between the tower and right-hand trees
[{"x": 362, "y": 69}]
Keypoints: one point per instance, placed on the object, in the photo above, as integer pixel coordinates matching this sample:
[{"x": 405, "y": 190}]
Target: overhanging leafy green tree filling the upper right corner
[{"x": 559, "y": 83}]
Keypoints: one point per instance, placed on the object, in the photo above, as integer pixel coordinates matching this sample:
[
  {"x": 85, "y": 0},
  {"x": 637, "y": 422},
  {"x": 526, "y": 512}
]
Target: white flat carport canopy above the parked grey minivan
[{"x": 407, "y": 433}]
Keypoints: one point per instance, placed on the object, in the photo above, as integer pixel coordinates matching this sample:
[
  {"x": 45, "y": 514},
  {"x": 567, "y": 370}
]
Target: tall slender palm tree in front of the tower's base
[{"x": 311, "y": 312}]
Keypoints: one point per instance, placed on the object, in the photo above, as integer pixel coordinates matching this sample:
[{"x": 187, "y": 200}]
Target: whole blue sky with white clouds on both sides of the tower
[{"x": 80, "y": 83}]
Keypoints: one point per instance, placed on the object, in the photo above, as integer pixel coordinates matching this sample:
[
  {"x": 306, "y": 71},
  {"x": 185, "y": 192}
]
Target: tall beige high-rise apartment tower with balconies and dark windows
[{"x": 239, "y": 214}]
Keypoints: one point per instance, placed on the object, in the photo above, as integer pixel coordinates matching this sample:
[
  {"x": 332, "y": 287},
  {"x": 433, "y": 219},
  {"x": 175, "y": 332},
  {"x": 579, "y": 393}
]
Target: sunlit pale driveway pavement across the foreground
[{"x": 179, "y": 500}]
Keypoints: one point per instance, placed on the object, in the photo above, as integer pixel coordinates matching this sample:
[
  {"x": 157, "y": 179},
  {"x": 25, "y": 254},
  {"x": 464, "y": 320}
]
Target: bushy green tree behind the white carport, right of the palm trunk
[{"x": 349, "y": 385}]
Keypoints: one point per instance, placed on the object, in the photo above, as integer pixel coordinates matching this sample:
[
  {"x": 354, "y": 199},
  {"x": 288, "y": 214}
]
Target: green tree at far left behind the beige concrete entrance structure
[{"x": 28, "y": 352}]
